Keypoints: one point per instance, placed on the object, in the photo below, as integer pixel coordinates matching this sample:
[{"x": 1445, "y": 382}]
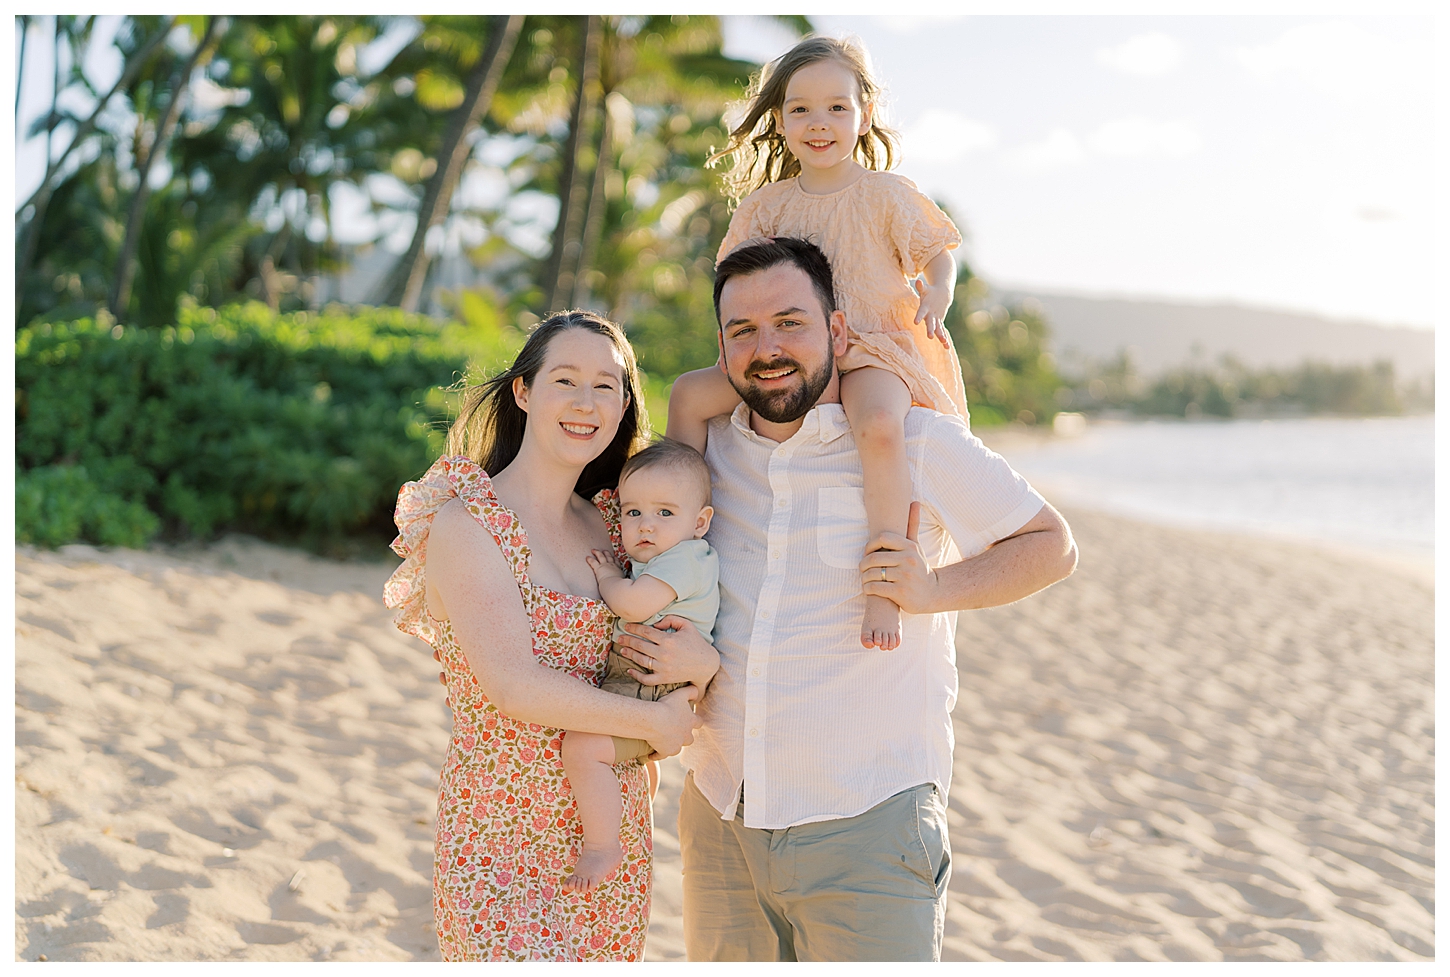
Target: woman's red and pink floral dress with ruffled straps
[{"x": 508, "y": 831}]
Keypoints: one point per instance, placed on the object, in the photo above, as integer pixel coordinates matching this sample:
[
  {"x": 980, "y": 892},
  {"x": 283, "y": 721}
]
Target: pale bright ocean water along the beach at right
[{"x": 1364, "y": 483}]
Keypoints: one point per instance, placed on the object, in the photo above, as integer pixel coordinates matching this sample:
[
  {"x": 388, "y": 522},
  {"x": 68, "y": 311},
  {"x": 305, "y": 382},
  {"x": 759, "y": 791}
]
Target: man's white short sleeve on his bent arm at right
[{"x": 972, "y": 491}]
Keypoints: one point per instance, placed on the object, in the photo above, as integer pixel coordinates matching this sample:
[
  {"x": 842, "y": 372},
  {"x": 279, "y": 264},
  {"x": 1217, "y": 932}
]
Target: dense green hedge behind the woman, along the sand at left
[{"x": 283, "y": 425}]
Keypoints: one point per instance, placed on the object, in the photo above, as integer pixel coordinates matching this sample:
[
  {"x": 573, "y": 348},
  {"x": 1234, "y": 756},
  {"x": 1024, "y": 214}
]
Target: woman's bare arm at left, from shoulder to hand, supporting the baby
[{"x": 472, "y": 586}]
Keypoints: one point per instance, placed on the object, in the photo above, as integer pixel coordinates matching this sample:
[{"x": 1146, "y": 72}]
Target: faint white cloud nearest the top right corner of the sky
[{"x": 1338, "y": 59}]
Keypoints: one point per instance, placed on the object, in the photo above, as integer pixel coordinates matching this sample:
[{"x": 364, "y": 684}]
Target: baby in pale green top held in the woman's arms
[{"x": 665, "y": 510}]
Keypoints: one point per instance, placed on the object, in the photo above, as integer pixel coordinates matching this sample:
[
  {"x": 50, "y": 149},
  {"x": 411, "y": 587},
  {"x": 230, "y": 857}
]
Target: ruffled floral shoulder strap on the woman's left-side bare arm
[{"x": 418, "y": 502}]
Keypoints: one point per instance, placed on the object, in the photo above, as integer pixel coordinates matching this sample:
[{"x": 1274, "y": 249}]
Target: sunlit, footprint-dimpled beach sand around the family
[{"x": 1200, "y": 747}]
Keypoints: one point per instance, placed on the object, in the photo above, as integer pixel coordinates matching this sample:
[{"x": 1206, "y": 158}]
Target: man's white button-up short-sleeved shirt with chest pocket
[{"x": 817, "y": 726}]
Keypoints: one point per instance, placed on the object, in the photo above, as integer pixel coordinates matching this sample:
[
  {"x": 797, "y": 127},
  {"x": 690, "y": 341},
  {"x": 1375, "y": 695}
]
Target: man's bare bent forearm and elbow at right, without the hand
[{"x": 1036, "y": 557}]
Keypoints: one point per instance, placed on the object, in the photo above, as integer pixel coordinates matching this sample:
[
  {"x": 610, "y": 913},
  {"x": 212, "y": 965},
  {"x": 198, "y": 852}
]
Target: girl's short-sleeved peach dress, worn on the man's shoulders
[{"x": 878, "y": 234}]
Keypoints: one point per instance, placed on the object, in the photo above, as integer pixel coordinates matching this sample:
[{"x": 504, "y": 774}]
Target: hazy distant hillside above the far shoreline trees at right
[{"x": 1164, "y": 334}]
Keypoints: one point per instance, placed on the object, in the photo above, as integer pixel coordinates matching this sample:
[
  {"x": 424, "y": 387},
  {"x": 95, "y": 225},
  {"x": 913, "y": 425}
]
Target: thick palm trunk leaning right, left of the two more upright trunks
[{"x": 408, "y": 282}]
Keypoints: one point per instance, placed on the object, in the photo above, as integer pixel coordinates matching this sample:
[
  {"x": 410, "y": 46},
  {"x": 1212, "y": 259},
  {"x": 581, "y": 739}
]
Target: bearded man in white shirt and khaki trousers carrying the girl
[{"x": 813, "y": 823}]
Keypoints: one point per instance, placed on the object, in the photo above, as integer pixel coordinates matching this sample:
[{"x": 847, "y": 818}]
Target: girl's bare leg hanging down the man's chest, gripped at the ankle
[{"x": 877, "y": 404}]
